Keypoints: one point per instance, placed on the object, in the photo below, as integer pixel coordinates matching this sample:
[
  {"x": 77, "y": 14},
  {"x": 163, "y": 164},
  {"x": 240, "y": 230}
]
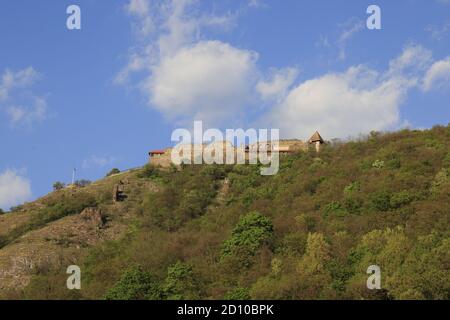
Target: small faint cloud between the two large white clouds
[{"x": 278, "y": 83}]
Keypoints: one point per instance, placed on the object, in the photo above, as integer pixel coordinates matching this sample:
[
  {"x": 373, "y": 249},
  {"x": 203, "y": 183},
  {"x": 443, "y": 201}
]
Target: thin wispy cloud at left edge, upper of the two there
[{"x": 15, "y": 86}]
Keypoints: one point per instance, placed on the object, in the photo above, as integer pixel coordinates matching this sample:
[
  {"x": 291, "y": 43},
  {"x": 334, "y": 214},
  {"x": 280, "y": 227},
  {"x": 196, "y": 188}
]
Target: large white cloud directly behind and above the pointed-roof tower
[{"x": 349, "y": 103}]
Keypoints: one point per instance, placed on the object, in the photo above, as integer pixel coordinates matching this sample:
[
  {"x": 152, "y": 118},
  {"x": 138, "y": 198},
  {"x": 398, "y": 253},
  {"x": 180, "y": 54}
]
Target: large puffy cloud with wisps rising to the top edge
[{"x": 184, "y": 77}]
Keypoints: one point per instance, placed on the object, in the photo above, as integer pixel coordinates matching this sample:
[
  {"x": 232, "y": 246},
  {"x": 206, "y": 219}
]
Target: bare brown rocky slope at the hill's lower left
[{"x": 56, "y": 245}]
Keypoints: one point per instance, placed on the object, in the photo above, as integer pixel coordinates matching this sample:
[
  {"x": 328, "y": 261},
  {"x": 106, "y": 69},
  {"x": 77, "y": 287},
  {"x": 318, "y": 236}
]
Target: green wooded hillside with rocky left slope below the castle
[{"x": 213, "y": 232}]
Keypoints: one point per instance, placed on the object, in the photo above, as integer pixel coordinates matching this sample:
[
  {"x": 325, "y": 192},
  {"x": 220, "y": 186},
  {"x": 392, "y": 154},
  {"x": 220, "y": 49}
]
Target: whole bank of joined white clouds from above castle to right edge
[{"x": 186, "y": 78}]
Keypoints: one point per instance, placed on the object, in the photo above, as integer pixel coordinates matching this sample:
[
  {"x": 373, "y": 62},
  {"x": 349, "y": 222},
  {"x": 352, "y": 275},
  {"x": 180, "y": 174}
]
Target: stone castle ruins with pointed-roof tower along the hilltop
[{"x": 163, "y": 157}]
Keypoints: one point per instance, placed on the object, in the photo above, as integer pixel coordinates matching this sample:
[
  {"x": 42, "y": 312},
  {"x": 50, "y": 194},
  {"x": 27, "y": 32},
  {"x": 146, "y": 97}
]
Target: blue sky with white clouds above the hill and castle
[{"x": 102, "y": 96}]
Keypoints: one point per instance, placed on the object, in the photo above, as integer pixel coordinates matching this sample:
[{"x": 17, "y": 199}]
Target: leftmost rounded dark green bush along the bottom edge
[{"x": 135, "y": 284}]
